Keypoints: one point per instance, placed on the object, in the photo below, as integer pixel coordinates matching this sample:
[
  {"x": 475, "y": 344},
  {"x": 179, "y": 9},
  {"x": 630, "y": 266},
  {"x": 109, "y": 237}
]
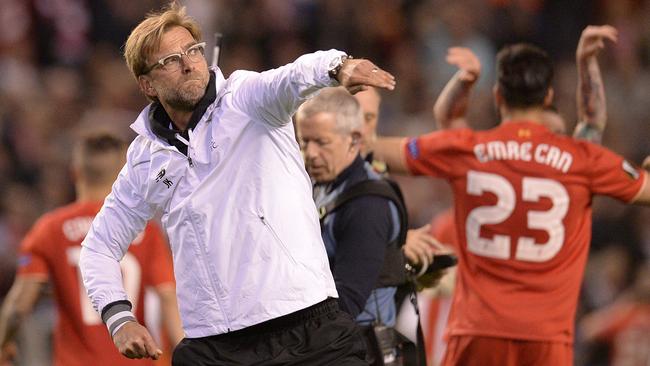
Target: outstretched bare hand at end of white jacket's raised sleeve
[{"x": 358, "y": 74}]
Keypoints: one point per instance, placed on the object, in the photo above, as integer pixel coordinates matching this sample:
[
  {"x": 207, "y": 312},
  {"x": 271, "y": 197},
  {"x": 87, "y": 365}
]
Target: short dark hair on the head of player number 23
[{"x": 524, "y": 75}]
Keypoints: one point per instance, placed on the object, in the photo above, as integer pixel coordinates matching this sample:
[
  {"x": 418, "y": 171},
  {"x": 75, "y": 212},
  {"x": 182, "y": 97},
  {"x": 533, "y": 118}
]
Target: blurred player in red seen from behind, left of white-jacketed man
[{"x": 50, "y": 253}]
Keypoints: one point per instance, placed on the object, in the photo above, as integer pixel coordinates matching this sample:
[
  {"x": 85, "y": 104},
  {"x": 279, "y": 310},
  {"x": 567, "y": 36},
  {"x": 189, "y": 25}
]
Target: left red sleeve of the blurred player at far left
[{"x": 32, "y": 256}]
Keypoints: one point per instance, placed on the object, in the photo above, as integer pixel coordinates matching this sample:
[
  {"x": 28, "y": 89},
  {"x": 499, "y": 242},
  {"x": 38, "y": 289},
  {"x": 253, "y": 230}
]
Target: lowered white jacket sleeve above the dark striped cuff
[{"x": 123, "y": 216}]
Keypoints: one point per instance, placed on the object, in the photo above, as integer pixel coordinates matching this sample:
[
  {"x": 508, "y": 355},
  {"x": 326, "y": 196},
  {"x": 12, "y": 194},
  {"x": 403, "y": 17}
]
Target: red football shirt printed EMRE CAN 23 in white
[{"x": 522, "y": 201}]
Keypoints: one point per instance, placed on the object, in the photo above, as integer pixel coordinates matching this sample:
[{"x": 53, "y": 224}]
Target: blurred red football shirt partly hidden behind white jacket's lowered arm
[{"x": 51, "y": 250}]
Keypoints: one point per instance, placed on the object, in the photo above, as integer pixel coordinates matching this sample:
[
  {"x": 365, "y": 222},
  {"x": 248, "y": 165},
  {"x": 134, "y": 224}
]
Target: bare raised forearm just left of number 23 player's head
[{"x": 450, "y": 108}]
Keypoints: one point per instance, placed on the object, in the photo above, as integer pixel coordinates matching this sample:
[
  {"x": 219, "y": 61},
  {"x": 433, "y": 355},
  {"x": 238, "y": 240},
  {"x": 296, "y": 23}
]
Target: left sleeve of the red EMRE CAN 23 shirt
[{"x": 432, "y": 154}]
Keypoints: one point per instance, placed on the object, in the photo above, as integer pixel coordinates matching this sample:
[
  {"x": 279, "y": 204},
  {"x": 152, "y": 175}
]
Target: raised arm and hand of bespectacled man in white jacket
[{"x": 275, "y": 95}]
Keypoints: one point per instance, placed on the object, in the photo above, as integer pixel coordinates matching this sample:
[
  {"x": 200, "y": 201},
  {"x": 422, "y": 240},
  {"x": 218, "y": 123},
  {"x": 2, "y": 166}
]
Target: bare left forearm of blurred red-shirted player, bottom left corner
[{"x": 17, "y": 306}]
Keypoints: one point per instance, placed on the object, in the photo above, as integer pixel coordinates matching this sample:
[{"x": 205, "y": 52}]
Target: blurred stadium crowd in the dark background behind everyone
[{"x": 61, "y": 71}]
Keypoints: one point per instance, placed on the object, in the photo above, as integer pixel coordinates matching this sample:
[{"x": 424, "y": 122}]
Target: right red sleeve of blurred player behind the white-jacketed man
[{"x": 160, "y": 269}]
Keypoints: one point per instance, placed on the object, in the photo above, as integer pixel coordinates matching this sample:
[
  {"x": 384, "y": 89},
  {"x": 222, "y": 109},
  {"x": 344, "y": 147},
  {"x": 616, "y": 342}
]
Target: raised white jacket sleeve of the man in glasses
[{"x": 275, "y": 95}]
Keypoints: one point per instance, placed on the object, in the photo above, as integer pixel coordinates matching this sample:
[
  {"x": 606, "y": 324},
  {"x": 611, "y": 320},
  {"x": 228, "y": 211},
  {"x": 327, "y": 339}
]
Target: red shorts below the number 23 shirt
[{"x": 486, "y": 351}]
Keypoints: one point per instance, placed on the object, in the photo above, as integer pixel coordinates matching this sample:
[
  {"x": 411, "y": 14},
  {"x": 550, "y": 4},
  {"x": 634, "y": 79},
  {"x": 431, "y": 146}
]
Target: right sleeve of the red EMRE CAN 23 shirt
[{"x": 612, "y": 175}]
